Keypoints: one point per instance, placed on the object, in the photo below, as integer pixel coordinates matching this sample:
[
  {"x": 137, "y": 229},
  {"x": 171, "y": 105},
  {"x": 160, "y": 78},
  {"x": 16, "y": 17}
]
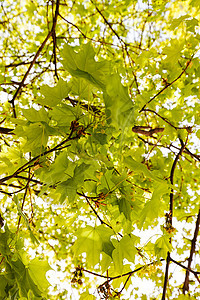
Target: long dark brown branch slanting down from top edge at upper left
[{"x": 51, "y": 33}]
